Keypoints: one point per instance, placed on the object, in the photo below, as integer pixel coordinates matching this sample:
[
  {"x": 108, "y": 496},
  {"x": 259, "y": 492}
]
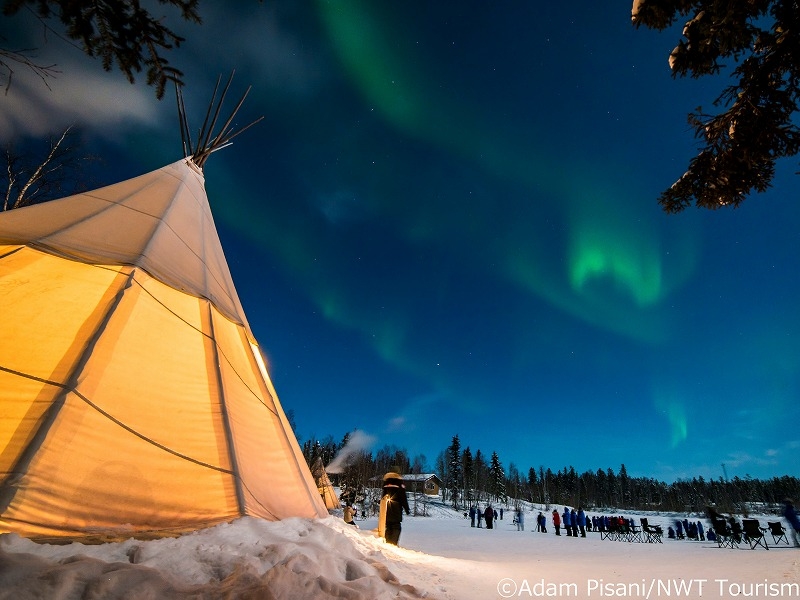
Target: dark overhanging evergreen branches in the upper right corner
[{"x": 754, "y": 128}]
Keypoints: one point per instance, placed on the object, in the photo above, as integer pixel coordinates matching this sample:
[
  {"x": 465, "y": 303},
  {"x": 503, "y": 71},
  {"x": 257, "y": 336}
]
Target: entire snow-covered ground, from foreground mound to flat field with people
[{"x": 440, "y": 556}]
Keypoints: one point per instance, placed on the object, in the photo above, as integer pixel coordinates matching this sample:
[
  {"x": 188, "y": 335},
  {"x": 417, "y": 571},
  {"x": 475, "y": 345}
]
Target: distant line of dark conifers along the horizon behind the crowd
[{"x": 473, "y": 477}]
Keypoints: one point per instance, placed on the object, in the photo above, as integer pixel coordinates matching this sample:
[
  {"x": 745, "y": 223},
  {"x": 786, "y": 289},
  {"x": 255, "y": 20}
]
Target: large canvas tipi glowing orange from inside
[{"x": 134, "y": 399}]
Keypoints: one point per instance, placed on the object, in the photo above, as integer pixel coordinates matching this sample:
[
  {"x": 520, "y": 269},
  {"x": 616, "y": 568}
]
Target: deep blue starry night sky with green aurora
[{"x": 447, "y": 223}]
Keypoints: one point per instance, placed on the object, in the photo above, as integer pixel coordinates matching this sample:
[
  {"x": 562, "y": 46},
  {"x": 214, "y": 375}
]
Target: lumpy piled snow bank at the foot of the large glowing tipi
[{"x": 250, "y": 558}]
